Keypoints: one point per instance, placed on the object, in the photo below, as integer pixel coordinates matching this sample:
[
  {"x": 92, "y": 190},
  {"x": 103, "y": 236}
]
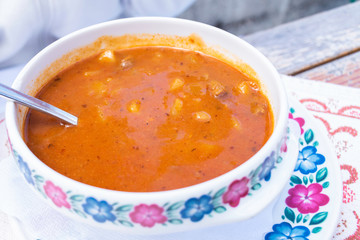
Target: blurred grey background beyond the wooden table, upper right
[{"x": 242, "y": 17}]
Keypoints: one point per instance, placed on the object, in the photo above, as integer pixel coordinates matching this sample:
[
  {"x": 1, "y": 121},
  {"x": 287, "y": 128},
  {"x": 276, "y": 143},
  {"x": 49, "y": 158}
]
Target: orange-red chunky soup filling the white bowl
[{"x": 150, "y": 119}]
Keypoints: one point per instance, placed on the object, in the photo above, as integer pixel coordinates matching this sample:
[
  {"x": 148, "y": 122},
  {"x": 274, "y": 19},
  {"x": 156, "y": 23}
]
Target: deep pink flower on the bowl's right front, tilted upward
[{"x": 237, "y": 189}]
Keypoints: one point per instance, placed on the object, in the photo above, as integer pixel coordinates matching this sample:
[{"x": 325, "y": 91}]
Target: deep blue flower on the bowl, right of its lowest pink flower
[{"x": 195, "y": 208}]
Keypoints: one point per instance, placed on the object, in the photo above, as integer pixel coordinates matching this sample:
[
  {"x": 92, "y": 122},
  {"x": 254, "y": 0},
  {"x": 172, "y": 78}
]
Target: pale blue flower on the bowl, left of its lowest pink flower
[{"x": 100, "y": 211}]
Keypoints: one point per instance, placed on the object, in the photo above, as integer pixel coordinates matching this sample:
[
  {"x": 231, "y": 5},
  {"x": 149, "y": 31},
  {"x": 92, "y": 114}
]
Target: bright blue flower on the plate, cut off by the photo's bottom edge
[{"x": 284, "y": 231}]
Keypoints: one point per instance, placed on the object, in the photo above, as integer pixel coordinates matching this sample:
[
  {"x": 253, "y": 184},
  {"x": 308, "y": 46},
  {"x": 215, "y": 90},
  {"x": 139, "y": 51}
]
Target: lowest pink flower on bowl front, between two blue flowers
[{"x": 148, "y": 215}]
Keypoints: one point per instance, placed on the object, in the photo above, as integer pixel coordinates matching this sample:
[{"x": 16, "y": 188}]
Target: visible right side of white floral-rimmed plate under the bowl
[{"x": 317, "y": 217}]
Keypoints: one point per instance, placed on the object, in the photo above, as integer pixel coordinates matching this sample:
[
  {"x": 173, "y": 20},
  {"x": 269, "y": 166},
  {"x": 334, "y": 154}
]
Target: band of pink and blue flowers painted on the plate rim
[{"x": 304, "y": 214}]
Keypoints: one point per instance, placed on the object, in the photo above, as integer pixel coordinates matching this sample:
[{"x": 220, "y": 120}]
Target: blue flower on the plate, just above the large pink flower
[{"x": 308, "y": 160}]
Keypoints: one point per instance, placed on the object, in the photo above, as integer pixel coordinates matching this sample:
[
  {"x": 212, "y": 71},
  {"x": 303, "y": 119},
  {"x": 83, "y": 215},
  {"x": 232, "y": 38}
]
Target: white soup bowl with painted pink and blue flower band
[{"x": 234, "y": 196}]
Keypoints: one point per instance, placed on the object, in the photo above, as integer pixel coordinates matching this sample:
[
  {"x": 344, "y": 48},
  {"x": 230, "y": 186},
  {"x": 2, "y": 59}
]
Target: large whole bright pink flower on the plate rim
[{"x": 307, "y": 199}]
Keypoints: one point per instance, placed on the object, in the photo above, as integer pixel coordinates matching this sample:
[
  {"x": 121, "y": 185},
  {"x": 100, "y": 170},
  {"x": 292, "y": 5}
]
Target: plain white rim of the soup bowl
[{"x": 253, "y": 162}]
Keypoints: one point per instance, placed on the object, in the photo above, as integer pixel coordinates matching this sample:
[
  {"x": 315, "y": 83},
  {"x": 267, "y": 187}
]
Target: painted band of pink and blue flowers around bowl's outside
[{"x": 193, "y": 209}]
